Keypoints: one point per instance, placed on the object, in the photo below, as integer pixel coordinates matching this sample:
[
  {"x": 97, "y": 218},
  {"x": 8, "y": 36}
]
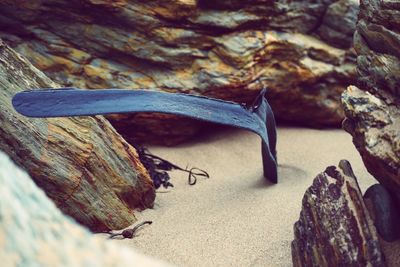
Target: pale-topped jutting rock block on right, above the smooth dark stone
[{"x": 375, "y": 127}]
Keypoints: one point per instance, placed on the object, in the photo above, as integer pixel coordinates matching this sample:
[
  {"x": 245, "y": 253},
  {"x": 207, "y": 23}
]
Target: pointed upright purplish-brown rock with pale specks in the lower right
[{"x": 335, "y": 228}]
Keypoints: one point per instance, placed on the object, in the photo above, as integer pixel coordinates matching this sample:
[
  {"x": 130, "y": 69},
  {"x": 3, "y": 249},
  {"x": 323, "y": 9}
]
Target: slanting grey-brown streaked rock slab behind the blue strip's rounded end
[{"x": 82, "y": 164}]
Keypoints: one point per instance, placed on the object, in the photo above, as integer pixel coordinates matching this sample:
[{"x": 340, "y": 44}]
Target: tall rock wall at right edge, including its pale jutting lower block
[{"x": 373, "y": 108}]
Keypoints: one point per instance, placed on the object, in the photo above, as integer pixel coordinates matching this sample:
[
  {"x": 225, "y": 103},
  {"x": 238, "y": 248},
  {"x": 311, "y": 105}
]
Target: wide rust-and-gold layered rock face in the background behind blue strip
[{"x": 301, "y": 49}]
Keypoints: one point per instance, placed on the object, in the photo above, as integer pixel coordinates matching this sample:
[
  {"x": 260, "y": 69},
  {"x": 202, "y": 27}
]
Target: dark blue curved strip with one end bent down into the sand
[{"x": 66, "y": 102}]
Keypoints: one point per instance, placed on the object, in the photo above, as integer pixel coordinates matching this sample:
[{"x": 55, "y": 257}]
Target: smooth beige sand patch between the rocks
[{"x": 237, "y": 218}]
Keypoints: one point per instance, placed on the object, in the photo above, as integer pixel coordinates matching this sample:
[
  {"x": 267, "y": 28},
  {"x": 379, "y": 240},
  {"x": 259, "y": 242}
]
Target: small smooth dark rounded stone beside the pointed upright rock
[{"x": 386, "y": 214}]
